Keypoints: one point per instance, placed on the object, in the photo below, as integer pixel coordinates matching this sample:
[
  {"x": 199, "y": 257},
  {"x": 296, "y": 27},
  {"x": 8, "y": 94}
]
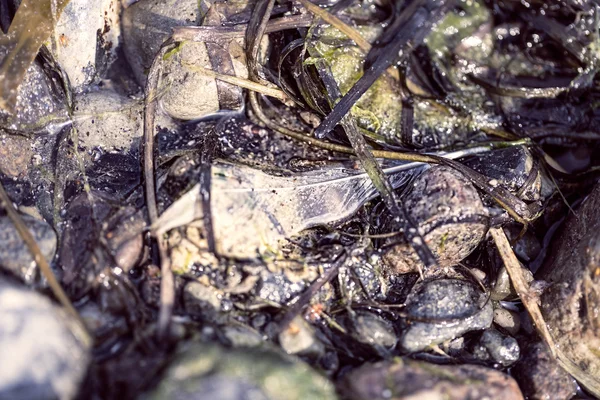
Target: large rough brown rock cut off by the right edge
[{"x": 571, "y": 304}]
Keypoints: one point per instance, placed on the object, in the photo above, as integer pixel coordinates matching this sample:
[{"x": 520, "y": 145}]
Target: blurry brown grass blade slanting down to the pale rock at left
[{"x": 38, "y": 256}]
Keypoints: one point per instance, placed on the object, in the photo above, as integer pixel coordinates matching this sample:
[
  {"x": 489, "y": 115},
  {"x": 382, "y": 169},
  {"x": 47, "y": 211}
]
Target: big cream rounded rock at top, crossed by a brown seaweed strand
[{"x": 190, "y": 93}]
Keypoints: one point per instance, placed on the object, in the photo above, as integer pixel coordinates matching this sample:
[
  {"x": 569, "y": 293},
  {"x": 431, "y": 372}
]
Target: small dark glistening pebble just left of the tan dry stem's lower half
[{"x": 497, "y": 348}]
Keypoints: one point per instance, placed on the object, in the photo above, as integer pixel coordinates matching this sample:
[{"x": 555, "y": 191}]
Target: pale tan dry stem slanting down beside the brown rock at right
[{"x": 521, "y": 287}]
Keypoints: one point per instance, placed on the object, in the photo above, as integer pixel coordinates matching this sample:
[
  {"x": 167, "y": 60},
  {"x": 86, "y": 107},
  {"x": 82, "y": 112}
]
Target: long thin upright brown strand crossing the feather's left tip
[{"x": 167, "y": 283}]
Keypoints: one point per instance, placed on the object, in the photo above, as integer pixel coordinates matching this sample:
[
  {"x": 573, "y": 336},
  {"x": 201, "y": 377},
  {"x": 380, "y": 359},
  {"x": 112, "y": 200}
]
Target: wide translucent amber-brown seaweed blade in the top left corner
[{"x": 31, "y": 27}]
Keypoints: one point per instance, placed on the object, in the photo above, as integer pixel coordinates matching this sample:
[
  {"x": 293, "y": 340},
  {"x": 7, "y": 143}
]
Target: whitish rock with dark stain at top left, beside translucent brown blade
[{"x": 87, "y": 34}]
